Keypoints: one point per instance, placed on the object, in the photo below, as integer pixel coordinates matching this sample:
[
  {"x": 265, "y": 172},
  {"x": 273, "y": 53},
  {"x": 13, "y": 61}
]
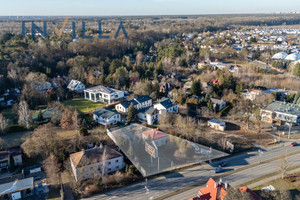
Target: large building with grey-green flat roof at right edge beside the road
[{"x": 280, "y": 113}]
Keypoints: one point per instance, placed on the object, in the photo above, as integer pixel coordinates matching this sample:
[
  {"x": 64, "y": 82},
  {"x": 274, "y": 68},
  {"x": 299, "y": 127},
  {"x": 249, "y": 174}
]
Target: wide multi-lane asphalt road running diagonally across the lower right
[{"x": 163, "y": 185}]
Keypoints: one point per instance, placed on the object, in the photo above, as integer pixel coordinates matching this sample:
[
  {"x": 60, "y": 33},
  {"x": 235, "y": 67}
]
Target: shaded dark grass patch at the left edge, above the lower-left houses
[{"x": 14, "y": 139}]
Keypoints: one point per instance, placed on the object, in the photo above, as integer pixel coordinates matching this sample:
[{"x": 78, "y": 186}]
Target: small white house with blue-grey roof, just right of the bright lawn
[{"x": 106, "y": 117}]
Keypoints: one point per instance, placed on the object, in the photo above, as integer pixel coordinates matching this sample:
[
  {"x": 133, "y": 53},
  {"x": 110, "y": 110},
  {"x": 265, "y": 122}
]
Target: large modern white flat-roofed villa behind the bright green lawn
[{"x": 103, "y": 94}]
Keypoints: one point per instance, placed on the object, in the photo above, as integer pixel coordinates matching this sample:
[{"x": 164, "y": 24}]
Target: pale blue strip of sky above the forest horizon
[{"x": 144, "y": 7}]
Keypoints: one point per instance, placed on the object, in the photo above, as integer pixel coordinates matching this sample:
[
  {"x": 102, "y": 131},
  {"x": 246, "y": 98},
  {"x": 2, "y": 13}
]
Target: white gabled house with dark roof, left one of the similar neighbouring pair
[{"x": 139, "y": 102}]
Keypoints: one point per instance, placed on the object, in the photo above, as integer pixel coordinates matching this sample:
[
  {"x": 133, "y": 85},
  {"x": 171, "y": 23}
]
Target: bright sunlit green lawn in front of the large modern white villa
[{"x": 83, "y": 105}]
